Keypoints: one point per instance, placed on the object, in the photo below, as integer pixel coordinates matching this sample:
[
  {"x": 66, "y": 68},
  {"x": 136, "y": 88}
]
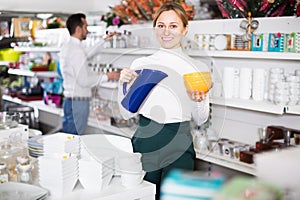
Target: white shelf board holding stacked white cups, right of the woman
[{"x": 260, "y": 106}]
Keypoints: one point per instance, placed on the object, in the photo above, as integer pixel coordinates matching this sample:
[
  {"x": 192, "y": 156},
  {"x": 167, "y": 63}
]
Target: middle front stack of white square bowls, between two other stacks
[{"x": 96, "y": 174}]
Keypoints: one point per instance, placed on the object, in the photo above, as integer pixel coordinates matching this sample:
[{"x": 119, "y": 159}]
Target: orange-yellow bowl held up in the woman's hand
[{"x": 200, "y": 81}]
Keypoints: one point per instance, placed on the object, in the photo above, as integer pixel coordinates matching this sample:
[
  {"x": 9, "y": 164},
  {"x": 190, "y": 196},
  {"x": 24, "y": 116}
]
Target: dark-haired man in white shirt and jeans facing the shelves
[{"x": 78, "y": 80}]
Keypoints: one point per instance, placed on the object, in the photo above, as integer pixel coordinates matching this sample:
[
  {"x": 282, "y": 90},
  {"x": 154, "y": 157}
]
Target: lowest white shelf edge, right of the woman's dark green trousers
[{"x": 227, "y": 162}]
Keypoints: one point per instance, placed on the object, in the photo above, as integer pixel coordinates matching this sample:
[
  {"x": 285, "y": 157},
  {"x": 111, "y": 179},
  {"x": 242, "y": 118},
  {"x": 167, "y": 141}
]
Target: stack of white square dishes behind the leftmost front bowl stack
[{"x": 61, "y": 143}]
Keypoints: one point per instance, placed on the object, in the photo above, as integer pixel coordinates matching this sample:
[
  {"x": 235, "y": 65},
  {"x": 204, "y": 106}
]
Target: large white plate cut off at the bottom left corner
[{"x": 21, "y": 191}]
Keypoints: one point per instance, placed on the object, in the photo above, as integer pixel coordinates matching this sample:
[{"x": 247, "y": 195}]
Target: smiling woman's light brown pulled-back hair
[{"x": 177, "y": 8}]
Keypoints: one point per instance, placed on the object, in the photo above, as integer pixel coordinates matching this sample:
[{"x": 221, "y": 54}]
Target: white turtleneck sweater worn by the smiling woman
[{"x": 168, "y": 102}]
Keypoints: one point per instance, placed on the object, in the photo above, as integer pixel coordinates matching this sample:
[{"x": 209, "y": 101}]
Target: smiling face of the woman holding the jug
[{"x": 169, "y": 30}]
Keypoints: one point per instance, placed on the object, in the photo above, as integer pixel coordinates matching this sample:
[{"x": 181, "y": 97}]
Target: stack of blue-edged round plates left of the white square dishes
[{"x": 35, "y": 146}]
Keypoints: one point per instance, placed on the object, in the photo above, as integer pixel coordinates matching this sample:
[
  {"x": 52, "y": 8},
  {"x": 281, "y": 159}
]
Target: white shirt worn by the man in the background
[{"x": 78, "y": 79}]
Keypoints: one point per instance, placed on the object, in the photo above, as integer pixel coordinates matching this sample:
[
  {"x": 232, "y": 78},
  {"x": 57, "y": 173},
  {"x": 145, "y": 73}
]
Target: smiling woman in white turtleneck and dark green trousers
[{"x": 163, "y": 134}]
